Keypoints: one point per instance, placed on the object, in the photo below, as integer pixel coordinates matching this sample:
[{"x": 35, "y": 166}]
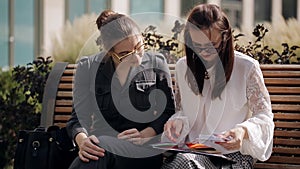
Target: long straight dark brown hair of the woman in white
[{"x": 207, "y": 16}]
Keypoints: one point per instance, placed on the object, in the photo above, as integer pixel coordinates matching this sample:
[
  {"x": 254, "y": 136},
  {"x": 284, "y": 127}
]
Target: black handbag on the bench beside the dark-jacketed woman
[{"x": 44, "y": 149}]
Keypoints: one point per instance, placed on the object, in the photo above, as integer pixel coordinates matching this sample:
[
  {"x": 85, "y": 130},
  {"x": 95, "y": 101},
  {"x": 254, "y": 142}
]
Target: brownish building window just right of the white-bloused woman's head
[{"x": 233, "y": 9}]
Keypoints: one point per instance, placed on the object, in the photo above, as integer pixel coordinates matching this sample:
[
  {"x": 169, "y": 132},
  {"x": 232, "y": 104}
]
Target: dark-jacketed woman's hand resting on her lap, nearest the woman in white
[{"x": 132, "y": 135}]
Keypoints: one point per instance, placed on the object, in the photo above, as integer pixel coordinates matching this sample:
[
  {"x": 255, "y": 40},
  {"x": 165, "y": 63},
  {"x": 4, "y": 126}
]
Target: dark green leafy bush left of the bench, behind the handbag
[{"x": 20, "y": 102}]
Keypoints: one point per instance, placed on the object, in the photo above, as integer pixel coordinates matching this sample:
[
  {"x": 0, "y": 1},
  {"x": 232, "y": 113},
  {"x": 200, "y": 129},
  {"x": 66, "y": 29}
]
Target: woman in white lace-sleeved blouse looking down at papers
[{"x": 221, "y": 99}]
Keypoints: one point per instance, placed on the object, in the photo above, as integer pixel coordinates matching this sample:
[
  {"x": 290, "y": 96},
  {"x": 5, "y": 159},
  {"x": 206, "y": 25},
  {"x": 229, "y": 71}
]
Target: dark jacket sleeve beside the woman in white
[{"x": 164, "y": 83}]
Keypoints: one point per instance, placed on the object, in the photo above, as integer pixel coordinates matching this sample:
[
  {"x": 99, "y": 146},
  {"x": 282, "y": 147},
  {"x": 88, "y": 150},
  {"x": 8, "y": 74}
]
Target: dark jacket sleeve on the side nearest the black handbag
[{"x": 81, "y": 120}]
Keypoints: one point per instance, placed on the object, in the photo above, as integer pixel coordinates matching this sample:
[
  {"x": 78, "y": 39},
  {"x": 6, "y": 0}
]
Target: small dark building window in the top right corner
[{"x": 289, "y": 9}]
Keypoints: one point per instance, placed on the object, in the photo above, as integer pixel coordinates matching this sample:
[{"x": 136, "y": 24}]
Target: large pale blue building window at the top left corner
[{"x": 18, "y": 21}]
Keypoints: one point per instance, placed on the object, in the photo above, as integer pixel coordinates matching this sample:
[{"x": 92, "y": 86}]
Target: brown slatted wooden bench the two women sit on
[{"x": 282, "y": 81}]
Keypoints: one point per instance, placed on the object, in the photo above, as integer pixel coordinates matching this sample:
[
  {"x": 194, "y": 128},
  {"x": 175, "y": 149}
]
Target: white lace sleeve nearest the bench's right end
[{"x": 260, "y": 125}]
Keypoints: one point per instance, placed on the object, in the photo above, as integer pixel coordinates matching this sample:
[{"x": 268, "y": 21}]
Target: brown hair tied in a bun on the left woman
[{"x": 114, "y": 27}]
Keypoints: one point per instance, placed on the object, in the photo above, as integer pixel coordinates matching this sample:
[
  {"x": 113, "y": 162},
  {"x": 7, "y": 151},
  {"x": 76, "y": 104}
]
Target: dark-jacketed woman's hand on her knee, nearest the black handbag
[{"x": 88, "y": 148}]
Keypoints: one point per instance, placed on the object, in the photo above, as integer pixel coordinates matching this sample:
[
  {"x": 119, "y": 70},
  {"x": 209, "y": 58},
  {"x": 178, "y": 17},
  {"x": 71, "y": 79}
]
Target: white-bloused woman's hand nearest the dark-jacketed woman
[{"x": 173, "y": 129}]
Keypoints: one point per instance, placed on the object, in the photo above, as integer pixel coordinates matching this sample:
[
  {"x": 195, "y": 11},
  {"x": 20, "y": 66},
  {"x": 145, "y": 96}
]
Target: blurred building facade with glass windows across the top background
[{"x": 21, "y": 22}]
